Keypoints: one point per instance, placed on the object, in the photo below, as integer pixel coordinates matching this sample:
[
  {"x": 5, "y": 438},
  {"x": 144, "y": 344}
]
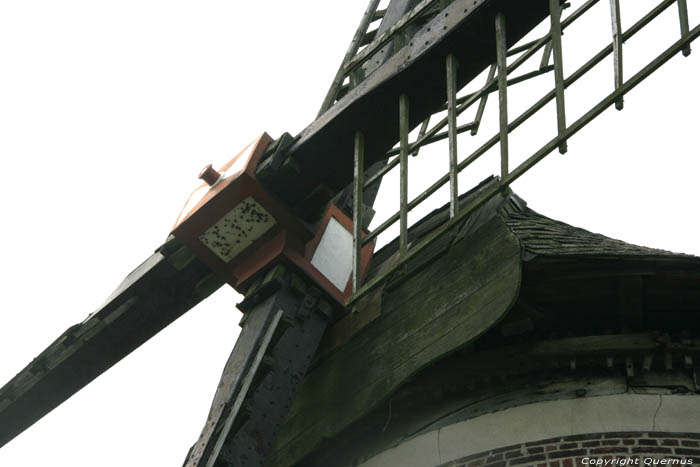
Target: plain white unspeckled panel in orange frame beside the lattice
[{"x": 333, "y": 257}]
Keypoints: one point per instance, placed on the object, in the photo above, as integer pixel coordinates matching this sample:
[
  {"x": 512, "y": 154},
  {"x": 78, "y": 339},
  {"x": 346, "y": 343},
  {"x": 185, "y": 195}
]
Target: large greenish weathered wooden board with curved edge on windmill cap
[{"x": 452, "y": 301}]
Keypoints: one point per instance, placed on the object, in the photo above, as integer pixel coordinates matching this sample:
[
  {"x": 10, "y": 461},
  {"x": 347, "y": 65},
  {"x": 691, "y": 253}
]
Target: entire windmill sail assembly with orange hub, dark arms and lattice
[{"x": 392, "y": 79}]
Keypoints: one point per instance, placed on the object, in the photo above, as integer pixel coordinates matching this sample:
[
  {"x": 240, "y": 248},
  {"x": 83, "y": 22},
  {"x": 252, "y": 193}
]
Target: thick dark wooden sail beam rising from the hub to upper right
[{"x": 417, "y": 70}]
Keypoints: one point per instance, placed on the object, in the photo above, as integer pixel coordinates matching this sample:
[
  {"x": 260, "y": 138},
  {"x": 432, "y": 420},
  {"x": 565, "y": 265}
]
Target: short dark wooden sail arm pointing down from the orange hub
[{"x": 272, "y": 389}]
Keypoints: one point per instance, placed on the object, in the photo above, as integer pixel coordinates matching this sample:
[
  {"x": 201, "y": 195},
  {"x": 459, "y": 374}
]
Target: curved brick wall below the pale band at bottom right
[{"x": 620, "y": 448}]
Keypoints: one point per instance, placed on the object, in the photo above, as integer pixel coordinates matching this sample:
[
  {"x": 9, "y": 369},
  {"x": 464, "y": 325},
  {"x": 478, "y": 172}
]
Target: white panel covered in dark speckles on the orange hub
[{"x": 238, "y": 229}]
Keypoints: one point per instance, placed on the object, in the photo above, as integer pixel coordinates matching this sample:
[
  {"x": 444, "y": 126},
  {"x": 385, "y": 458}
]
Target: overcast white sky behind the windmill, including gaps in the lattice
[{"x": 108, "y": 110}]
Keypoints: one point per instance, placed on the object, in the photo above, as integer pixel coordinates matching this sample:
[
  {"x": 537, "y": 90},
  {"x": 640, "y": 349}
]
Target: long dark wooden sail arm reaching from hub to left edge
[{"x": 151, "y": 297}]
